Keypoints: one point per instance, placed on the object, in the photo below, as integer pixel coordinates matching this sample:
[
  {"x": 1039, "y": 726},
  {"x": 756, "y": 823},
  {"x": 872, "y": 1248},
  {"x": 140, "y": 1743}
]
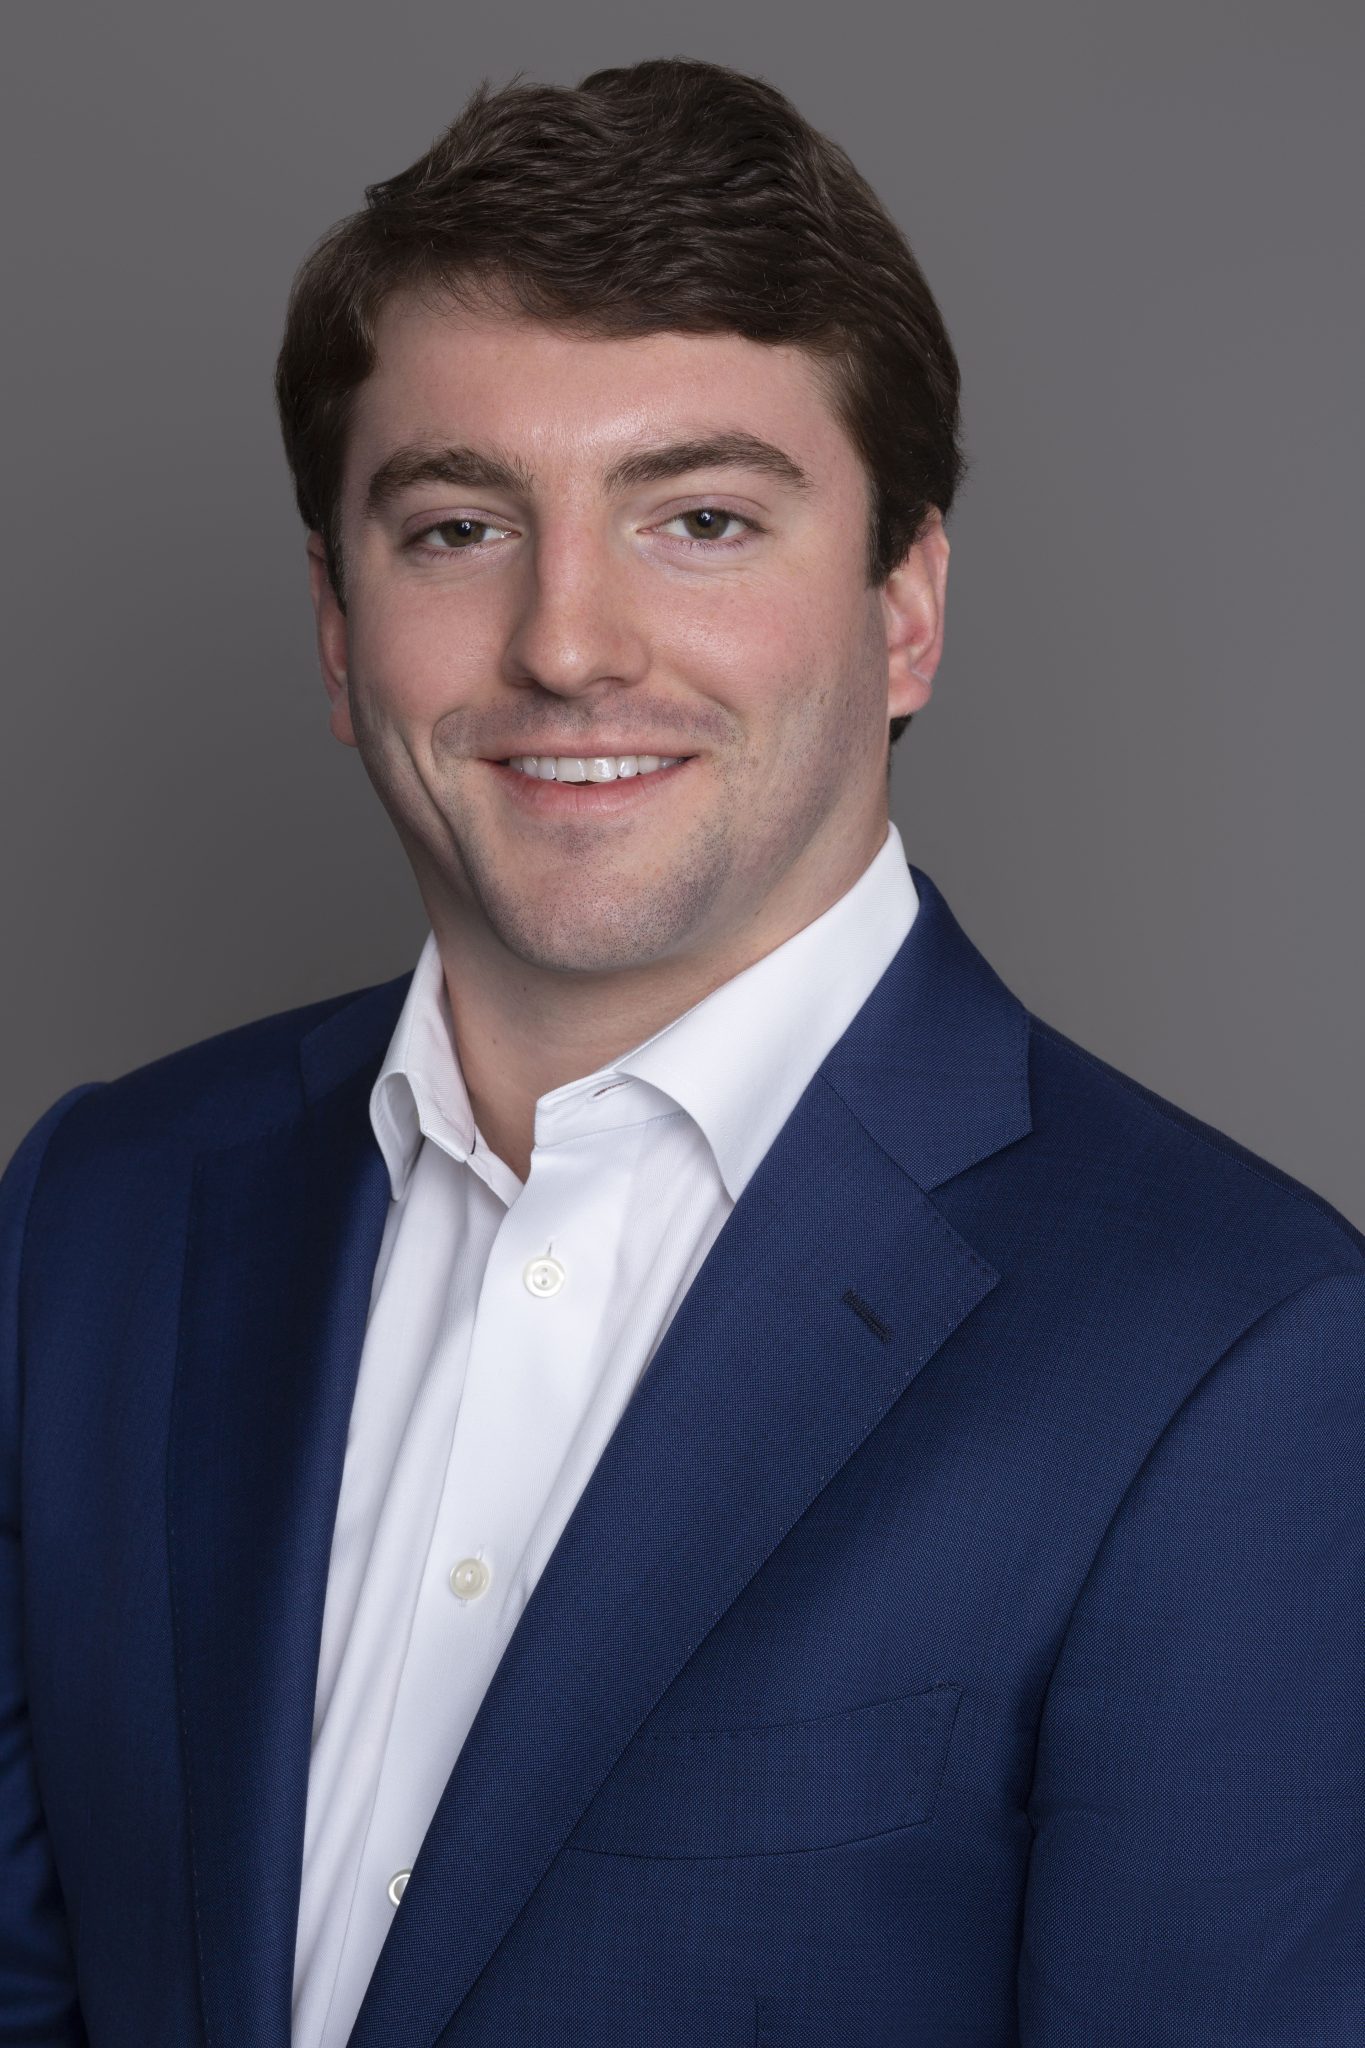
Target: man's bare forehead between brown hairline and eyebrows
[{"x": 570, "y": 402}]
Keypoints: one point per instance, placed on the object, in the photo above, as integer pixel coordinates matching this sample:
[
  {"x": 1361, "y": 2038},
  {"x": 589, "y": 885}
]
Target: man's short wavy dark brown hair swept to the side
[{"x": 668, "y": 196}]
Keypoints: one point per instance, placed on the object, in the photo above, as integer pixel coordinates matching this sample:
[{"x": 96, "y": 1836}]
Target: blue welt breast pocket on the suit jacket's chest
[{"x": 768, "y": 1791}]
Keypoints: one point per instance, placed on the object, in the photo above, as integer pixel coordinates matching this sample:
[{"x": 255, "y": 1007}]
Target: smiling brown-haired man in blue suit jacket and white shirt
[{"x": 687, "y": 1471}]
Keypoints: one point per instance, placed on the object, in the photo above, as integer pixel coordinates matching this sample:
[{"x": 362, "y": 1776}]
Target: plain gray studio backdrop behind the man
[{"x": 1139, "y": 781}]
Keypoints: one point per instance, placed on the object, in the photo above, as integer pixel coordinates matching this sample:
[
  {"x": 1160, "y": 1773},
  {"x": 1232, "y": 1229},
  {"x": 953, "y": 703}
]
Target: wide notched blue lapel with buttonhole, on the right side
[{"x": 830, "y": 1287}]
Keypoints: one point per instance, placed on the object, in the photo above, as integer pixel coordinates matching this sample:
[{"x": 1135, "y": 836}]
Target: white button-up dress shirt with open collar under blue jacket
[{"x": 509, "y": 1326}]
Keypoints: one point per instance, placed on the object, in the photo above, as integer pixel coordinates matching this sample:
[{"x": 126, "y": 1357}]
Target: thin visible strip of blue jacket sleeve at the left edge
[{"x": 38, "y": 1981}]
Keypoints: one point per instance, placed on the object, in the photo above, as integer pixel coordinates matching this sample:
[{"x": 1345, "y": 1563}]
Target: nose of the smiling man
[{"x": 576, "y": 624}]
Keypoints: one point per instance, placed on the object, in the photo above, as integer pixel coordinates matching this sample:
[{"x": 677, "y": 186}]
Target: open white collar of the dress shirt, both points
[{"x": 738, "y": 1062}]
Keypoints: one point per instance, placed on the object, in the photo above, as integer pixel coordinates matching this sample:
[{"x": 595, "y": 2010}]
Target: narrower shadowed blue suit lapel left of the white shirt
[{"x": 283, "y": 1242}]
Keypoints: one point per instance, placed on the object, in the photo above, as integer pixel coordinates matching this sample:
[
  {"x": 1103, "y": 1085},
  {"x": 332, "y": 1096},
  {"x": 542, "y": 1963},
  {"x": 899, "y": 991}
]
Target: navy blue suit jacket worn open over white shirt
[{"x": 961, "y": 1641}]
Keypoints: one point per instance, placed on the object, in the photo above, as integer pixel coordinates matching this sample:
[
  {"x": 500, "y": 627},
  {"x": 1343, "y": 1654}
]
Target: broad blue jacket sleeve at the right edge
[{"x": 1198, "y": 1867}]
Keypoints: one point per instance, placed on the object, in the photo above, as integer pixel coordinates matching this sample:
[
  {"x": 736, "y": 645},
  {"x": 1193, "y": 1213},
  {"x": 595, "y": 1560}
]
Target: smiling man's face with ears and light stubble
[{"x": 578, "y": 548}]
